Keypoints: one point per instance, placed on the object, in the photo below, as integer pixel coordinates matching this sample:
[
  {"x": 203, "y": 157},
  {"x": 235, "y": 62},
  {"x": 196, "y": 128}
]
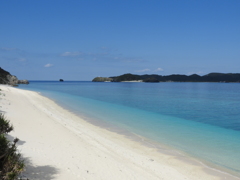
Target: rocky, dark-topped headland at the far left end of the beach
[{"x": 7, "y": 78}]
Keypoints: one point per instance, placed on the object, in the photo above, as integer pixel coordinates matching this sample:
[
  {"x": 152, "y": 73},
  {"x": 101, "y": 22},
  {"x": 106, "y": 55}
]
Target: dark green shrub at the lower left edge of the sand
[{"x": 11, "y": 163}]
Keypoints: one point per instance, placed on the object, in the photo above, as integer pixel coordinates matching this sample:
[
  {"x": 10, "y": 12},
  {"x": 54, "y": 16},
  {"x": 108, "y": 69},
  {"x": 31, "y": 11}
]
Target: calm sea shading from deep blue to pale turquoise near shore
[{"x": 200, "y": 119}]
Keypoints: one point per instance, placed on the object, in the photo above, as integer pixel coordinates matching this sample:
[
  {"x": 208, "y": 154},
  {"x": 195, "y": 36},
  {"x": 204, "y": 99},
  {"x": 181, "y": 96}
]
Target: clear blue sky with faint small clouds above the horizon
[{"x": 82, "y": 39}]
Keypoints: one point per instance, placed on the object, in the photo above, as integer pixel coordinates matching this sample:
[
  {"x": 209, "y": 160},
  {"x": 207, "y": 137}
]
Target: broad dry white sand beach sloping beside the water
[{"x": 60, "y": 145}]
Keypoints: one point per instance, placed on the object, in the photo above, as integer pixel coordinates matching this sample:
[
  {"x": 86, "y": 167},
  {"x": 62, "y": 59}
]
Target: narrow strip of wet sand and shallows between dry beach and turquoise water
[{"x": 162, "y": 148}]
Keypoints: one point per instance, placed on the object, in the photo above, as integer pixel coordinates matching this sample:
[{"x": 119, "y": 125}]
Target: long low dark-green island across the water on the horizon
[{"x": 211, "y": 77}]
